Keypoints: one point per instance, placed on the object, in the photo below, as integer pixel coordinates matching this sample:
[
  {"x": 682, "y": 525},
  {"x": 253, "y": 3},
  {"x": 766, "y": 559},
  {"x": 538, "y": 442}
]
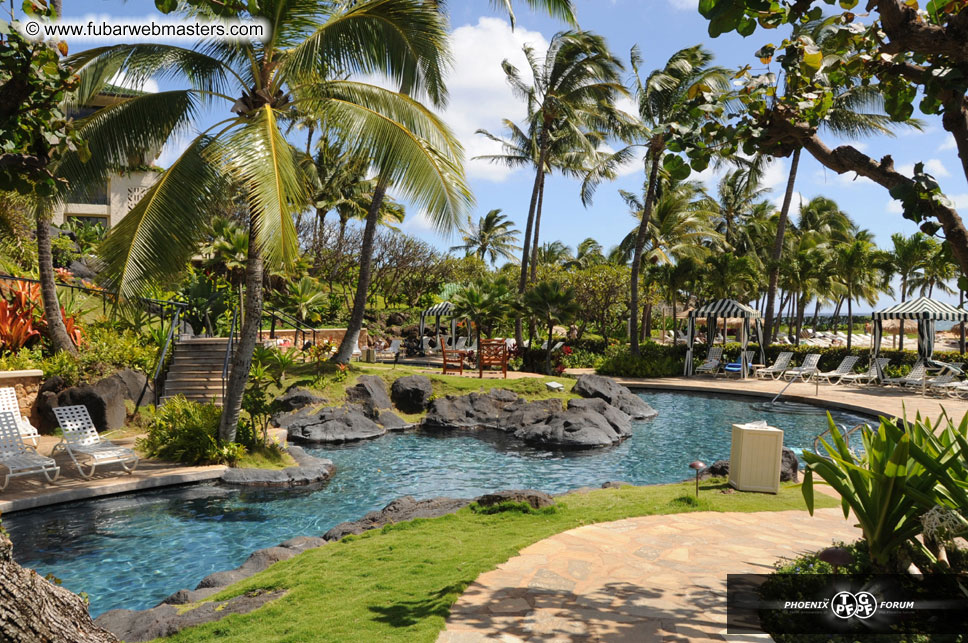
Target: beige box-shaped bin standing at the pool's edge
[{"x": 754, "y": 457}]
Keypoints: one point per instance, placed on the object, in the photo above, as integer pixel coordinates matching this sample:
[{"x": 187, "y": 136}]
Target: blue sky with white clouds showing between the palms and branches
[{"x": 480, "y": 98}]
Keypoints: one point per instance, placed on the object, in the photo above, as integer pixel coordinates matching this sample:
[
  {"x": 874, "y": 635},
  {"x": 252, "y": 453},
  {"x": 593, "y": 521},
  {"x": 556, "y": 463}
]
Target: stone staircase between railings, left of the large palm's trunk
[{"x": 196, "y": 369}]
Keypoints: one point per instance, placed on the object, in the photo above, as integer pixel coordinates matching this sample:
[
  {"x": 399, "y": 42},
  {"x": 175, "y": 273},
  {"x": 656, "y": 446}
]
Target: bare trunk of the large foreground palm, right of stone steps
[{"x": 242, "y": 359}]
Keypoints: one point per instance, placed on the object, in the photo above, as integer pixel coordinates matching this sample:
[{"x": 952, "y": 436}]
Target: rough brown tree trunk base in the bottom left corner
[{"x": 34, "y": 609}]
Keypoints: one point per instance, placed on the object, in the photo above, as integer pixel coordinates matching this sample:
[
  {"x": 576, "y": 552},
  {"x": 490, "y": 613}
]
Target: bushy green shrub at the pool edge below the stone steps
[{"x": 187, "y": 432}]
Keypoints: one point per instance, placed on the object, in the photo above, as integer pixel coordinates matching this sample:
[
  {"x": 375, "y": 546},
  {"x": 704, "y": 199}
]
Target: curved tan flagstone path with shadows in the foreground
[{"x": 654, "y": 578}]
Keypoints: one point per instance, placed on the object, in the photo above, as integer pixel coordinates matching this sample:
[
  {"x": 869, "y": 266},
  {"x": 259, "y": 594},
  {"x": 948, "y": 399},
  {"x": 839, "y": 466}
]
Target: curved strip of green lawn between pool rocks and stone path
[{"x": 398, "y": 583}]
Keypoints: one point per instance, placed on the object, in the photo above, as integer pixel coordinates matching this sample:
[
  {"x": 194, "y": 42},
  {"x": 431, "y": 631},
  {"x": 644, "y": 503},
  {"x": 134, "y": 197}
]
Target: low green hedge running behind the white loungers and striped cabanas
[{"x": 663, "y": 360}]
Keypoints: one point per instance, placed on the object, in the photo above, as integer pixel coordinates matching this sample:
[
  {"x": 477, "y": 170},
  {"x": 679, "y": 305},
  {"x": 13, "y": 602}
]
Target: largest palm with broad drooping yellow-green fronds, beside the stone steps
[{"x": 261, "y": 84}]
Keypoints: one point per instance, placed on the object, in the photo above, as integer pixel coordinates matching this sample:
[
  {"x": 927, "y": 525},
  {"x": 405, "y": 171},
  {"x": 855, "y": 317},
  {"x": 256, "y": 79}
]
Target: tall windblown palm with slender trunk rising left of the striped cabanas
[{"x": 663, "y": 99}]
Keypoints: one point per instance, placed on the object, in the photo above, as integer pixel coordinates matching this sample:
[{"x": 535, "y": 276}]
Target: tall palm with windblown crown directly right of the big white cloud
[{"x": 570, "y": 105}]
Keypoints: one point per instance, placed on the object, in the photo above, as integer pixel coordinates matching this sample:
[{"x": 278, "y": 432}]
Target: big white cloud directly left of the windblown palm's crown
[{"x": 480, "y": 96}]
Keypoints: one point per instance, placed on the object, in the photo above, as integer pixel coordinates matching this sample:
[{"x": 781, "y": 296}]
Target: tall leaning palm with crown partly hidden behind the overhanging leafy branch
[{"x": 855, "y": 112}]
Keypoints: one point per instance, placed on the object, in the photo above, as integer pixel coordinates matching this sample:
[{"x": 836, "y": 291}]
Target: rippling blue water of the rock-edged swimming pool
[{"x": 132, "y": 551}]
